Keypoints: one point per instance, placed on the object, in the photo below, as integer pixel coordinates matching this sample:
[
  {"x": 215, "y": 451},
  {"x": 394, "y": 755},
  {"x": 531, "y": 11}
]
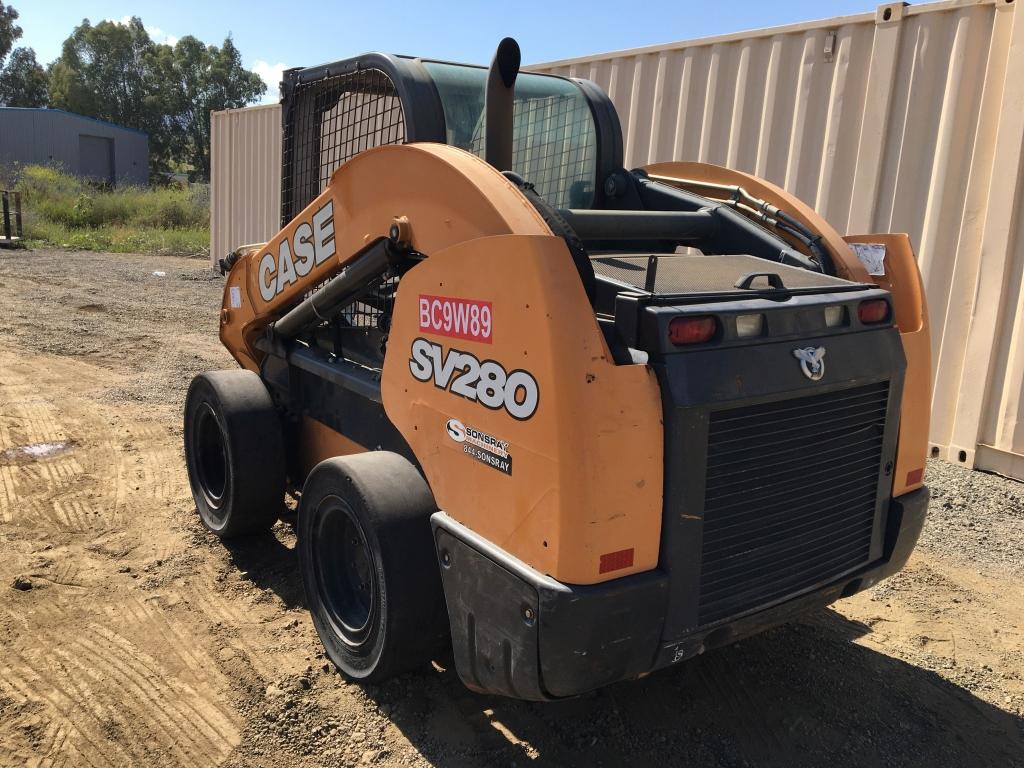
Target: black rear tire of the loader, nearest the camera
[{"x": 369, "y": 567}]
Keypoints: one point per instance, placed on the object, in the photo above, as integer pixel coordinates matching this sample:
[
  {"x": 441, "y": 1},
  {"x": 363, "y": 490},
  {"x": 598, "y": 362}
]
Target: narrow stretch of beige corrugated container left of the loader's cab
[{"x": 245, "y": 178}]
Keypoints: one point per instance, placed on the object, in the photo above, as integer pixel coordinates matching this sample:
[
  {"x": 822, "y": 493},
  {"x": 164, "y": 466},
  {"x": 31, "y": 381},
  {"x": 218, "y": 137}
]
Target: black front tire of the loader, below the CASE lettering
[{"x": 235, "y": 453}]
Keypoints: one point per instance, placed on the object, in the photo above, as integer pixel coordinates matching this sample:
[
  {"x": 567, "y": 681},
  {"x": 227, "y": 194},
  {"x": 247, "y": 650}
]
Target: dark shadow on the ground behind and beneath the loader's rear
[{"x": 801, "y": 695}]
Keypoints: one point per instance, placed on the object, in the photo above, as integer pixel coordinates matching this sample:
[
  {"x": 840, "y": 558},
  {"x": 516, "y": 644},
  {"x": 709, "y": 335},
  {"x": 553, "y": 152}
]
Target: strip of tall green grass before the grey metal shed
[{"x": 62, "y": 211}]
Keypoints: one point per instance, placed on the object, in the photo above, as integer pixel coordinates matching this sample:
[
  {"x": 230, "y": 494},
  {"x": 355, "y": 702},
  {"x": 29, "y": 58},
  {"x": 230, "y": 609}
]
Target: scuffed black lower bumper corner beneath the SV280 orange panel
[{"x": 519, "y": 633}]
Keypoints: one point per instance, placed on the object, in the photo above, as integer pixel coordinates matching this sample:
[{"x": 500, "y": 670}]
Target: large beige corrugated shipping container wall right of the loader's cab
[{"x": 907, "y": 119}]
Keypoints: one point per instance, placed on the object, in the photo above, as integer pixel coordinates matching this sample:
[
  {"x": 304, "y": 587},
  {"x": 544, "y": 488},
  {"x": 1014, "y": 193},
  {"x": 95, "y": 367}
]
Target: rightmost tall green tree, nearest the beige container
[{"x": 199, "y": 79}]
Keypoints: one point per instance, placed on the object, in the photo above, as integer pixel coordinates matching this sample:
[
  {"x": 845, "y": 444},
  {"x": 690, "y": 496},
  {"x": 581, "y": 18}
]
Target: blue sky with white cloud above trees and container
[{"x": 274, "y": 36}]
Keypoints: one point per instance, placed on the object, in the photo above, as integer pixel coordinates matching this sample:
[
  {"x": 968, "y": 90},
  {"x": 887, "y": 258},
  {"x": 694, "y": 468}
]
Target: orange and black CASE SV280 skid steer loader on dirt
[{"x": 579, "y": 422}]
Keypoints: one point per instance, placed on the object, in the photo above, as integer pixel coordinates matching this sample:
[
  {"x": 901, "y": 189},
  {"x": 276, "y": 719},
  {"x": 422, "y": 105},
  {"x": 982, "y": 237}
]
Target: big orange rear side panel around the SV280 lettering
[{"x": 587, "y": 465}]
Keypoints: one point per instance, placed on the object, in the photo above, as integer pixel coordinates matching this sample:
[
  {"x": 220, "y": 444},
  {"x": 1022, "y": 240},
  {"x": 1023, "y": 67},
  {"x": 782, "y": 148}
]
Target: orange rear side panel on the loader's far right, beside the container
[{"x": 903, "y": 279}]
